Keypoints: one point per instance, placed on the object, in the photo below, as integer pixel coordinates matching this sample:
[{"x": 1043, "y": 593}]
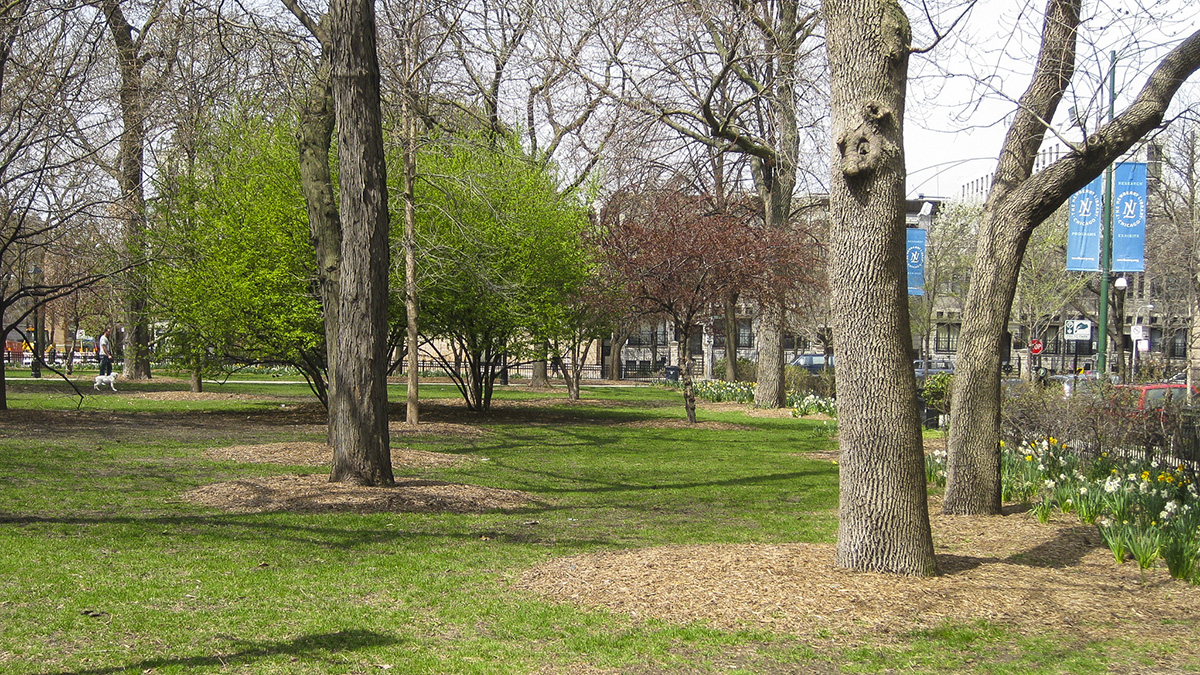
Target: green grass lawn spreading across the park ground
[{"x": 105, "y": 570}]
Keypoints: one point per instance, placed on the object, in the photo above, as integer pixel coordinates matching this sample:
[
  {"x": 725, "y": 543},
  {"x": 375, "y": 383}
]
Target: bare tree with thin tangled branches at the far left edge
[{"x": 46, "y": 175}]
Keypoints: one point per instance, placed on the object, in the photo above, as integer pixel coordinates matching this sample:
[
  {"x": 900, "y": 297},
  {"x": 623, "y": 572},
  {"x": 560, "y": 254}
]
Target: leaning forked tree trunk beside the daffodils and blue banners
[{"x": 1018, "y": 202}]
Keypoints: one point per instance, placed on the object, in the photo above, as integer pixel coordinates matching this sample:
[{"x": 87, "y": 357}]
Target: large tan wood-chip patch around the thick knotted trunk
[{"x": 1006, "y": 570}]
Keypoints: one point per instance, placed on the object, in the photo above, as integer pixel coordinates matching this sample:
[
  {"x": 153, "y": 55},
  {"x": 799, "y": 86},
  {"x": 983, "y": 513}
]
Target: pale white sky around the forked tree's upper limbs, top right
[{"x": 964, "y": 91}]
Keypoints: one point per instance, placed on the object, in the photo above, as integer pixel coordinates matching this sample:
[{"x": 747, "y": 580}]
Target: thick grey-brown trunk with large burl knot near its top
[{"x": 884, "y": 516}]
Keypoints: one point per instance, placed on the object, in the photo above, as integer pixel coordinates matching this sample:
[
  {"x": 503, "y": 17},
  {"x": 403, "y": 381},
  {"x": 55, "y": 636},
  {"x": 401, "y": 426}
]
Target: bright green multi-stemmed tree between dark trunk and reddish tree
[{"x": 501, "y": 254}]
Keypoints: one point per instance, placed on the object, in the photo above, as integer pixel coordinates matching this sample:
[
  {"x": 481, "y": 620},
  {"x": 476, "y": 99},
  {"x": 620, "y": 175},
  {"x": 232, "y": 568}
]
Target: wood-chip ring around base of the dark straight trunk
[{"x": 315, "y": 493}]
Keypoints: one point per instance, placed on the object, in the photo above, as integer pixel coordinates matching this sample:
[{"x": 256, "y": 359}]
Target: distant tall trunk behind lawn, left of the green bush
[{"x": 130, "y": 178}]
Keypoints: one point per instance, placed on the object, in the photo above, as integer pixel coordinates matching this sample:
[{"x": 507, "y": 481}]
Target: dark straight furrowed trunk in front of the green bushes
[{"x": 359, "y": 402}]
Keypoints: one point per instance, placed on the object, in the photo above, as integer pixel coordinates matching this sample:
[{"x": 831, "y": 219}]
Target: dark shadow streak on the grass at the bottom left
[{"x": 305, "y": 647}]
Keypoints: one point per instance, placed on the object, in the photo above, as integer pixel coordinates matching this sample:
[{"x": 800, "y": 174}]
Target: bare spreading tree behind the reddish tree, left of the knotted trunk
[{"x": 743, "y": 77}]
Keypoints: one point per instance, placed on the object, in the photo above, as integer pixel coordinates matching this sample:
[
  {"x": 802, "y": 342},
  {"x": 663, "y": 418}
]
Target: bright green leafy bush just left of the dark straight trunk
[{"x": 237, "y": 277}]
